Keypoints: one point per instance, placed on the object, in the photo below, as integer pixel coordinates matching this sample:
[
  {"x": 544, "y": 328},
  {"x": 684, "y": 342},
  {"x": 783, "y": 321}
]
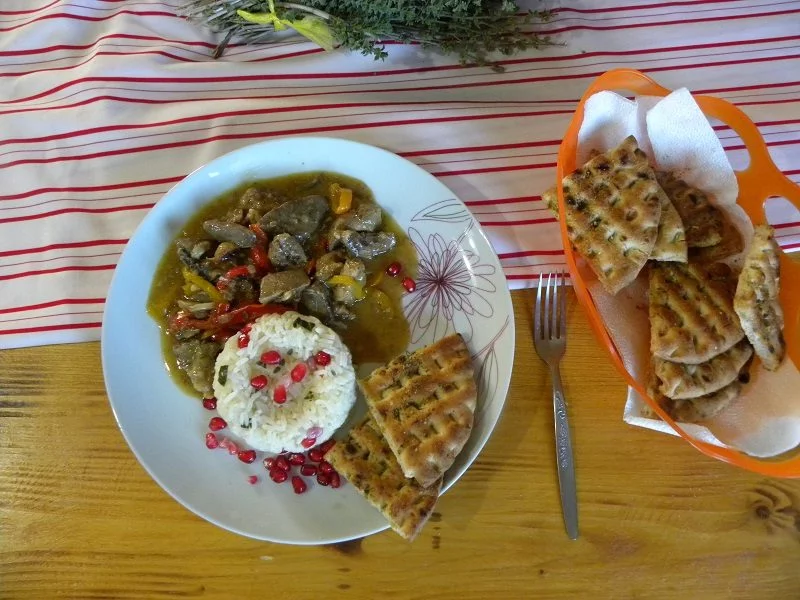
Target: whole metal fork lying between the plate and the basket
[{"x": 550, "y": 339}]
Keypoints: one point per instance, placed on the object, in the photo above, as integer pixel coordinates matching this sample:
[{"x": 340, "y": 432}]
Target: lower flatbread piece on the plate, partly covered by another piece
[{"x": 366, "y": 461}]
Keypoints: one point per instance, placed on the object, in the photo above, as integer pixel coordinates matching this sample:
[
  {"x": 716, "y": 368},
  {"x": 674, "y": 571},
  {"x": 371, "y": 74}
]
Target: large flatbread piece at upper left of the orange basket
[{"x": 613, "y": 208}]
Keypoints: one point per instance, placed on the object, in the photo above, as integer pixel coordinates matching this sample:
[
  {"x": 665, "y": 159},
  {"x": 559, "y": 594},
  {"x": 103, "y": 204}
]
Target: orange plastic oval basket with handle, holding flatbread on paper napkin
[{"x": 761, "y": 180}]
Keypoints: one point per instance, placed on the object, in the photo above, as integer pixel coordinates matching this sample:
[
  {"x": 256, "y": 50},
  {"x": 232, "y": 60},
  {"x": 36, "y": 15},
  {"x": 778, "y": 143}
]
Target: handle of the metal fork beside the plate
[{"x": 564, "y": 457}]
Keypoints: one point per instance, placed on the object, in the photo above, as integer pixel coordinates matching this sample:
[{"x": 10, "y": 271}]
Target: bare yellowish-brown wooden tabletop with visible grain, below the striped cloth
[{"x": 79, "y": 518}]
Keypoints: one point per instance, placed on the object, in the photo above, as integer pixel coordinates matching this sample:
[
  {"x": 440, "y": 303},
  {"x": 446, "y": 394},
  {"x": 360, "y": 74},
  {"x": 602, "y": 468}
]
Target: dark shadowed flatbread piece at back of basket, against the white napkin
[{"x": 702, "y": 220}]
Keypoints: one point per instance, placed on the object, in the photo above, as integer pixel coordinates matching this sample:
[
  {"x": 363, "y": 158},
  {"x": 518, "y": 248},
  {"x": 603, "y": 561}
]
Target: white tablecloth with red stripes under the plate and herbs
[{"x": 105, "y": 104}]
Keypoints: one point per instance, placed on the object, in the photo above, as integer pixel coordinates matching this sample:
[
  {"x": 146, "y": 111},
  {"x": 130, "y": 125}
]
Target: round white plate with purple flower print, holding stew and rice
[{"x": 460, "y": 287}]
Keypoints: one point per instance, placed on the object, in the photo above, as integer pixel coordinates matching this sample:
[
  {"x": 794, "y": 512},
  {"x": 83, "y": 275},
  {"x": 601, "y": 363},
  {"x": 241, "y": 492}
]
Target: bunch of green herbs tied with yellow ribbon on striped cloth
[{"x": 471, "y": 29}]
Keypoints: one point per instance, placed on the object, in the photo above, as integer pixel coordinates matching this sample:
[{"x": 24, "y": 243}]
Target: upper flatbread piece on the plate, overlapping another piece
[{"x": 424, "y": 404}]
